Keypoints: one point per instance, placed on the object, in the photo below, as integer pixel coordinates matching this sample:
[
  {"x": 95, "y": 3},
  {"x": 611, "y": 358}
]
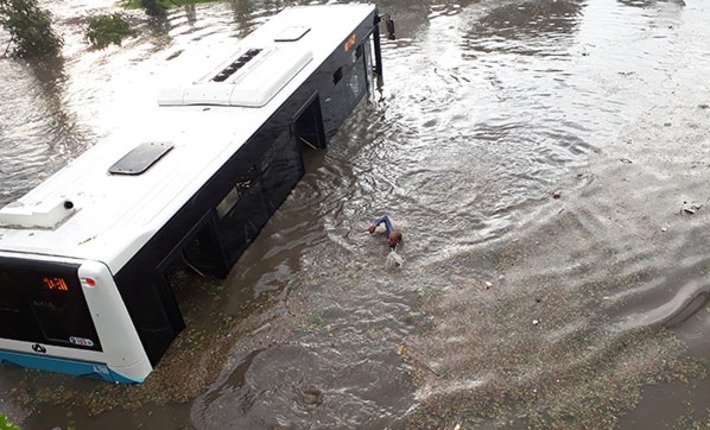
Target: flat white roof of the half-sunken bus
[{"x": 111, "y": 216}]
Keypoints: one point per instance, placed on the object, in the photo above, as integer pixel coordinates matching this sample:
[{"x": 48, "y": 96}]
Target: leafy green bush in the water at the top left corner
[{"x": 30, "y": 28}]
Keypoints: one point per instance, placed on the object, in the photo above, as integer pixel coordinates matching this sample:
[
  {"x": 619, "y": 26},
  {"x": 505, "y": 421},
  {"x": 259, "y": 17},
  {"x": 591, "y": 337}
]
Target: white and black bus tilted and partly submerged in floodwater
[{"x": 85, "y": 256}]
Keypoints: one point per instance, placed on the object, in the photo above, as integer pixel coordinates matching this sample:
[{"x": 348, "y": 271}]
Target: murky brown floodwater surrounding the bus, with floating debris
[{"x": 539, "y": 157}]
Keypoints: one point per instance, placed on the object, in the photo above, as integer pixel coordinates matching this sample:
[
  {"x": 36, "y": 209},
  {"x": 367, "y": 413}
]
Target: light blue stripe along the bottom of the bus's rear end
[{"x": 71, "y": 367}]
